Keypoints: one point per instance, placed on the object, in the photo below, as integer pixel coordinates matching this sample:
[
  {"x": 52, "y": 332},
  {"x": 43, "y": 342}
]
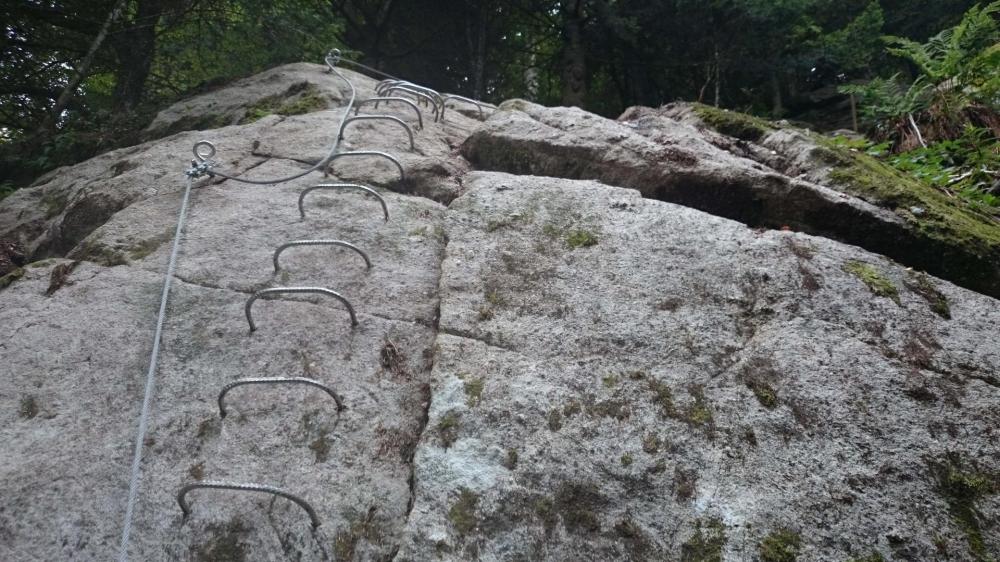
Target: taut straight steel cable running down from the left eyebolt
[{"x": 133, "y": 487}]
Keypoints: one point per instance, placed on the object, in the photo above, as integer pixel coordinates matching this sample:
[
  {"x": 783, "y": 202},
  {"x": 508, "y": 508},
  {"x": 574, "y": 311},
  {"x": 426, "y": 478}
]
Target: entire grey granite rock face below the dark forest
[{"x": 543, "y": 369}]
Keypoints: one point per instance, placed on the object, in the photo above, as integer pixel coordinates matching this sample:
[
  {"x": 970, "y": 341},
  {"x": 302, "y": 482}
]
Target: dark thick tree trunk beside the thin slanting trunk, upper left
[{"x": 135, "y": 48}]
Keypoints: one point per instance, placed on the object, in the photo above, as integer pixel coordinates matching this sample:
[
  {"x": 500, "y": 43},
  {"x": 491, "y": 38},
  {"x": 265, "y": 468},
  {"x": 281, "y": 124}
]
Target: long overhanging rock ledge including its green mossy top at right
[{"x": 789, "y": 179}]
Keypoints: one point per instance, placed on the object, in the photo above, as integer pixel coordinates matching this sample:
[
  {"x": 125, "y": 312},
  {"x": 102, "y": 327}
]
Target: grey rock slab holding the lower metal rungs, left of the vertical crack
[{"x": 79, "y": 358}]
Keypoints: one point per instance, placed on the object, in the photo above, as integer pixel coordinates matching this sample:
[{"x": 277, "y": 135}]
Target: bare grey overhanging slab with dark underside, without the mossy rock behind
[{"x": 672, "y": 160}]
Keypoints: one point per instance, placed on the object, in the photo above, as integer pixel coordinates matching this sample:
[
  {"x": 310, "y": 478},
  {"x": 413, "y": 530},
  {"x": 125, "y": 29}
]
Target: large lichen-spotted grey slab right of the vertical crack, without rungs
[{"x": 613, "y": 374}]
